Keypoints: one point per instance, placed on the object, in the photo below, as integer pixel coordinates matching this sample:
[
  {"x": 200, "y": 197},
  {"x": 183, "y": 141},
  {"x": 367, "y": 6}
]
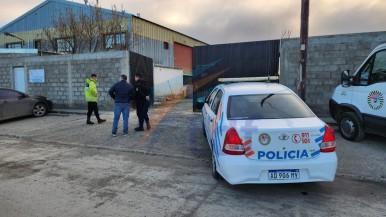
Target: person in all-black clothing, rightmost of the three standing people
[{"x": 143, "y": 102}]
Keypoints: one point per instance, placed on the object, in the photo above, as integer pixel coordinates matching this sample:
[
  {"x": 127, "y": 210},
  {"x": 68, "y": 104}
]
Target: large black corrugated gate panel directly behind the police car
[{"x": 249, "y": 59}]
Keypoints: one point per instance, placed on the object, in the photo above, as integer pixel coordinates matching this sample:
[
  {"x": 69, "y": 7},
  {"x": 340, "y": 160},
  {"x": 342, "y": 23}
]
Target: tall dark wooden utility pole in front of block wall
[{"x": 305, "y": 12}]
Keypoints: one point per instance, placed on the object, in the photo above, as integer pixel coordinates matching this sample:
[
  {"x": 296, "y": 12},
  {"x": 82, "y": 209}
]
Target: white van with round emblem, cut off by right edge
[{"x": 358, "y": 104}]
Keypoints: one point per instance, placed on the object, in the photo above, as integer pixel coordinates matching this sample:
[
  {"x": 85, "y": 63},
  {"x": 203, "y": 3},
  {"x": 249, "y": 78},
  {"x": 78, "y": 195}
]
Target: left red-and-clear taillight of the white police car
[{"x": 232, "y": 143}]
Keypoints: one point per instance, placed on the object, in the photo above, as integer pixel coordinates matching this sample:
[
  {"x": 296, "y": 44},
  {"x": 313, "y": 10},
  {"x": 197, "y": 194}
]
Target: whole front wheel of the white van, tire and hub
[{"x": 350, "y": 127}]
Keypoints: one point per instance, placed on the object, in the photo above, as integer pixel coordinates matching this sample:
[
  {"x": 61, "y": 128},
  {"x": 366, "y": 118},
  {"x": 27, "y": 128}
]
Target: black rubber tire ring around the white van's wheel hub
[{"x": 358, "y": 133}]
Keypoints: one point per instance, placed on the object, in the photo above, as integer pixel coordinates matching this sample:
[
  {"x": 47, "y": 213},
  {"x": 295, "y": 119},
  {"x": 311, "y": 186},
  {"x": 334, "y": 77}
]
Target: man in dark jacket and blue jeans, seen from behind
[{"x": 121, "y": 92}]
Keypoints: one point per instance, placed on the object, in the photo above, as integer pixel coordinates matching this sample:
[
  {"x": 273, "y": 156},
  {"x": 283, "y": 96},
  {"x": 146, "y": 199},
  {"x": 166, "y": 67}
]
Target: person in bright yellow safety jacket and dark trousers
[{"x": 91, "y": 96}]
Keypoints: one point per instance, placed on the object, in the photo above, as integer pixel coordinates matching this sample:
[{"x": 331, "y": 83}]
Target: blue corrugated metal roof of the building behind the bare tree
[{"x": 42, "y": 15}]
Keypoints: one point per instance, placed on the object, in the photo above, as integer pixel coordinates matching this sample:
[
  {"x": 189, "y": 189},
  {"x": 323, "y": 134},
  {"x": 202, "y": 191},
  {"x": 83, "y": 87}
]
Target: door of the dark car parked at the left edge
[{"x": 14, "y": 104}]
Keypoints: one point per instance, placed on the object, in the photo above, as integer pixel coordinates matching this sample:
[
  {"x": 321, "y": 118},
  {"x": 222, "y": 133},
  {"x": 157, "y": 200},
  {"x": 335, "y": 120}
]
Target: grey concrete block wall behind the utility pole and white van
[{"x": 327, "y": 57}]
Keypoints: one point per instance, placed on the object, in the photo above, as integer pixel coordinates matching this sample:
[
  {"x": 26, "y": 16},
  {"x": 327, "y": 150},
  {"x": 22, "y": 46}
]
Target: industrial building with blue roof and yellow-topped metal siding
[{"x": 167, "y": 48}]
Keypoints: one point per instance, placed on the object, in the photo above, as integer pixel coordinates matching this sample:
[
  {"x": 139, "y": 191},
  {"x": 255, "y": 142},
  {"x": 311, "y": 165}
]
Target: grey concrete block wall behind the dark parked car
[{"x": 65, "y": 76}]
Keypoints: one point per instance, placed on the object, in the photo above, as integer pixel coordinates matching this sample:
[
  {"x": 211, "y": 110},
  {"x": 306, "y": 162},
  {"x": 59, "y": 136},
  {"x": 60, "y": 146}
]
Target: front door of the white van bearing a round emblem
[{"x": 369, "y": 93}]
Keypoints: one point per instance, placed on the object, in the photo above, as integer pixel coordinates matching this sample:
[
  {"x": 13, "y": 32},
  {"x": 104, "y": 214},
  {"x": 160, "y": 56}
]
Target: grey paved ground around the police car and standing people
[{"x": 59, "y": 166}]
